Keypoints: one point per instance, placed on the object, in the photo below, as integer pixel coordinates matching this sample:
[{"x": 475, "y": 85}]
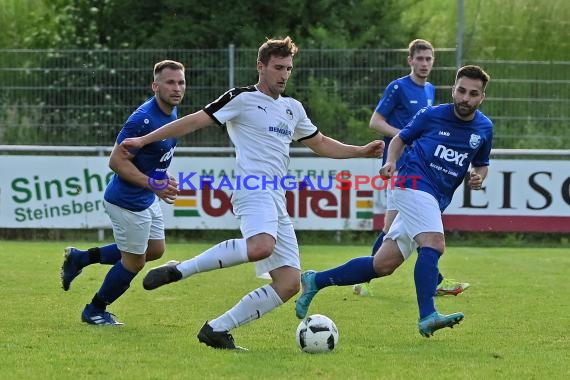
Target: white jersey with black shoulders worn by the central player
[{"x": 261, "y": 128}]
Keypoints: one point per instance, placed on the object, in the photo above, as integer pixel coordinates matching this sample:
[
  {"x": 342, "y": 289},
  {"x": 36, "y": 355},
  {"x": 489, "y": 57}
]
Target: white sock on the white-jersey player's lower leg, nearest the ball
[{"x": 252, "y": 306}]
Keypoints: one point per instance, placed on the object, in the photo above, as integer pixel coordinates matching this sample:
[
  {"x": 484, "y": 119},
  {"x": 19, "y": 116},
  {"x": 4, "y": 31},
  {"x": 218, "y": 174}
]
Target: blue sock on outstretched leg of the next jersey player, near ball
[{"x": 356, "y": 271}]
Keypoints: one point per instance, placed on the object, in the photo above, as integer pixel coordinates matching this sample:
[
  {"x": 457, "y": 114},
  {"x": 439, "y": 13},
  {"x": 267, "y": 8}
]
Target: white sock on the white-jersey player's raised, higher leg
[{"x": 226, "y": 254}]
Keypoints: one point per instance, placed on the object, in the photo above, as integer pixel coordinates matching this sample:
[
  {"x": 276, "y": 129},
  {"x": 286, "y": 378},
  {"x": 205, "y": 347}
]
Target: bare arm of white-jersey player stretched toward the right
[{"x": 329, "y": 147}]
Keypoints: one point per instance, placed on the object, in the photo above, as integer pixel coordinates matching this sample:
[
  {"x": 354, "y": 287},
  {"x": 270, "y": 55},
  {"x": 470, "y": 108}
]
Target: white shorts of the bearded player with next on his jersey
[{"x": 418, "y": 212}]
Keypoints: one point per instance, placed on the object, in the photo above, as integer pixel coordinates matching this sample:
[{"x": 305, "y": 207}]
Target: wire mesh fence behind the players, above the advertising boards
[{"x": 82, "y": 97}]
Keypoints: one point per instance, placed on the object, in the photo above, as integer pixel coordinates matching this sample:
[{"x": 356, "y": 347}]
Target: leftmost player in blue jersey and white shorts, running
[{"x": 132, "y": 198}]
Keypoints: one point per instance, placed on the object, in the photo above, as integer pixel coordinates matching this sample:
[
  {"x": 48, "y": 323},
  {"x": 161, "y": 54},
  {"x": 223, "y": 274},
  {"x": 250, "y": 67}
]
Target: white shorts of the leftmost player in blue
[{"x": 133, "y": 229}]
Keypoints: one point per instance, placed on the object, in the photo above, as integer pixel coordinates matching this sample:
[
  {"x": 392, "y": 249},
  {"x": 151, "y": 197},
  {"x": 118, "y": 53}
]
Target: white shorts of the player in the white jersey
[{"x": 266, "y": 212}]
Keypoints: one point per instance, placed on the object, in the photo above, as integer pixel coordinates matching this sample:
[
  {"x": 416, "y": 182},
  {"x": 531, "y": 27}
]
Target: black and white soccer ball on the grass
[{"x": 317, "y": 333}]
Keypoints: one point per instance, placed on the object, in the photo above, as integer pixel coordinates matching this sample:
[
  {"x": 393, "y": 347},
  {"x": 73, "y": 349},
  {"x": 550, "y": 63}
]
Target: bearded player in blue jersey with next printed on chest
[{"x": 447, "y": 144}]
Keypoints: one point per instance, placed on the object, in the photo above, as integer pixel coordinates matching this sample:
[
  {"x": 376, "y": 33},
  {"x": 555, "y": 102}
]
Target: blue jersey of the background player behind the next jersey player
[{"x": 401, "y": 100}]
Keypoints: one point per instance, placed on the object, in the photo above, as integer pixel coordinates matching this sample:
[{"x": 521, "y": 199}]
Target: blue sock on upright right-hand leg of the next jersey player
[{"x": 425, "y": 277}]
